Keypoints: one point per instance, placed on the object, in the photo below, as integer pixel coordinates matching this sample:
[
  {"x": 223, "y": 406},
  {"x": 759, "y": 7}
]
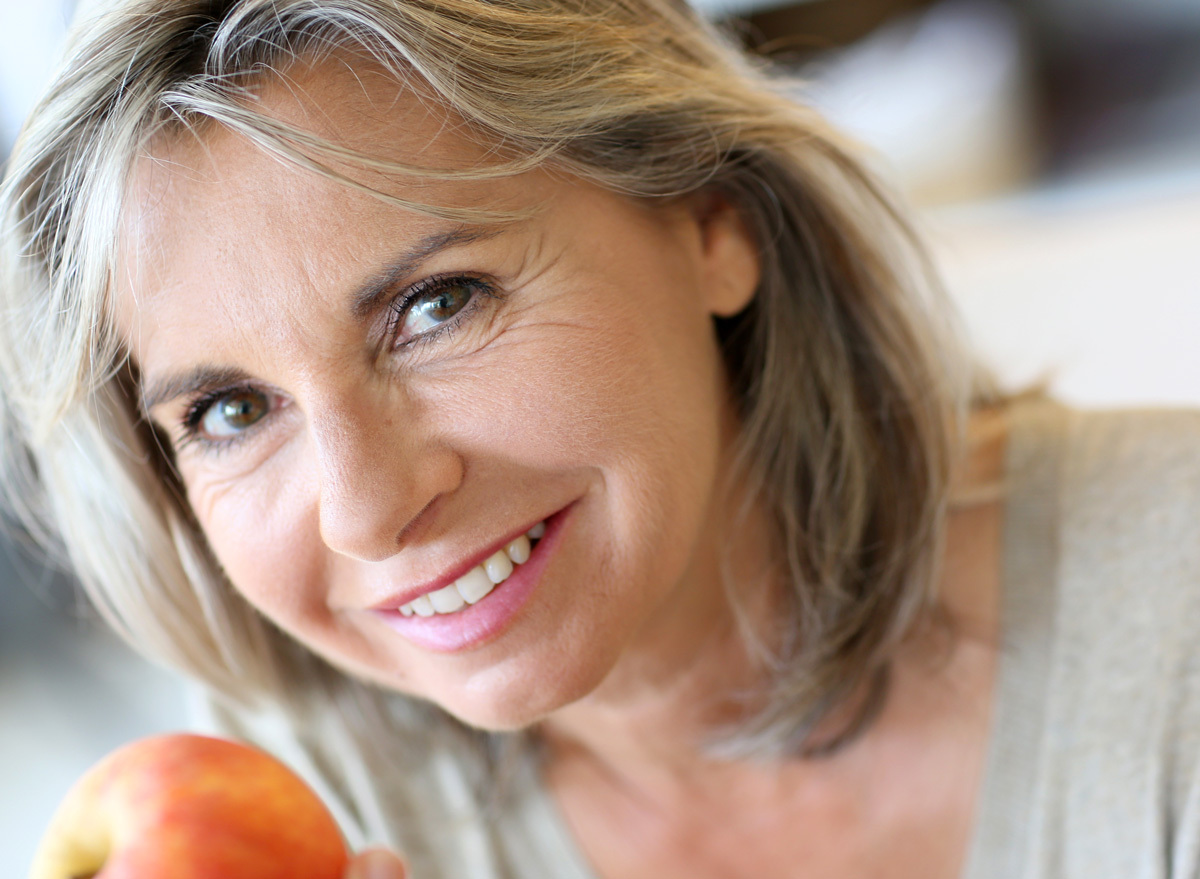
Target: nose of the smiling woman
[{"x": 379, "y": 476}]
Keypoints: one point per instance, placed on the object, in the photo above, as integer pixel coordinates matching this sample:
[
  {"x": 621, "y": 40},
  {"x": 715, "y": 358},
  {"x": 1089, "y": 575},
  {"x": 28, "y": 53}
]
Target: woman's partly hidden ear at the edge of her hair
[{"x": 730, "y": 254}]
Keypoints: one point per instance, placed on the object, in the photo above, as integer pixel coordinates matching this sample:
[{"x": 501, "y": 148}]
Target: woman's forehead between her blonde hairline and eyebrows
[{"x": 209, "y": 204}]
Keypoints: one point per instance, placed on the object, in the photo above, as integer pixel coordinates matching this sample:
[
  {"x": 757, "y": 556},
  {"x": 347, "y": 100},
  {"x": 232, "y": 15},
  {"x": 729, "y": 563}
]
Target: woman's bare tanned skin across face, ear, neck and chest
[{"x": 591, "y": 381}]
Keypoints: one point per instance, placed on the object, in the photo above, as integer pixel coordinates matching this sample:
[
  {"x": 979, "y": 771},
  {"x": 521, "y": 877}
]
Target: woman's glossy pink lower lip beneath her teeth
[{"x": 476, "y": 626}]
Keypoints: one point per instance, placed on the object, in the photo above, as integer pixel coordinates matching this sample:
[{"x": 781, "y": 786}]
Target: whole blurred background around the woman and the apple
[{"x": 1053, "y": 152}]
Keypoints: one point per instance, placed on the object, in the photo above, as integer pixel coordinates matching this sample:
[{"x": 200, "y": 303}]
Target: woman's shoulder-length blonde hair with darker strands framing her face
[{"x": 849, "y": 386}]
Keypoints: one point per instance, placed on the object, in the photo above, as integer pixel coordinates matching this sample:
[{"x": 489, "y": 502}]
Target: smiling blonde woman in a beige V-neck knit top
[{"x": 537, "y": 429}]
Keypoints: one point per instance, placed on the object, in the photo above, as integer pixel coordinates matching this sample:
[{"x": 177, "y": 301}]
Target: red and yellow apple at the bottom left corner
[{"x": 184, "y": 806}]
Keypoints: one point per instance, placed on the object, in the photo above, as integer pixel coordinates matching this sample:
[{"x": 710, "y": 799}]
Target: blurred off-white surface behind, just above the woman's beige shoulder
[{"x": 1095, "y": 285}]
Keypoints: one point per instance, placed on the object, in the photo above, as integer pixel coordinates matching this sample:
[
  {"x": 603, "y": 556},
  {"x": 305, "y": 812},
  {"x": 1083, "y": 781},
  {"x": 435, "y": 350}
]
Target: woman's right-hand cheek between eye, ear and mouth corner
[{"x": 629, "y": 403}]
